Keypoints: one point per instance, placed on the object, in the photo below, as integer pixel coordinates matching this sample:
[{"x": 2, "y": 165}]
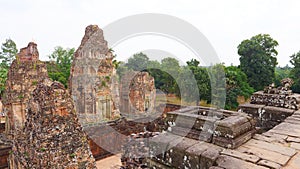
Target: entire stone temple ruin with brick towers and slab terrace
[{"x": 46, "y": 124}]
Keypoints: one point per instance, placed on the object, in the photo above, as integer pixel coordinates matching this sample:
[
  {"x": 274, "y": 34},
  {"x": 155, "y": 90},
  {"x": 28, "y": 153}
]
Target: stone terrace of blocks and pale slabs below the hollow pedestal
[{"x": 276, "y": 148}]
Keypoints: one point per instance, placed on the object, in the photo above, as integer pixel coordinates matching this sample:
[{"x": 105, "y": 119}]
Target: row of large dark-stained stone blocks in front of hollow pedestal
[{"x": 168, "y": 151}]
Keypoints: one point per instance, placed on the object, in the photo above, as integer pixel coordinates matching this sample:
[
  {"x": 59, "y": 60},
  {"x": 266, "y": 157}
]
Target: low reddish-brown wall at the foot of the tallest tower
[{"x": 109, "y": 137}]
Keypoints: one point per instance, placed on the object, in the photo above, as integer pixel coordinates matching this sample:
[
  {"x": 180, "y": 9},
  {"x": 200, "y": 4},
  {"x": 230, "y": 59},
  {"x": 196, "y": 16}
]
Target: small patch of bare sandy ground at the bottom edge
[{"x": 112, "y": 162}]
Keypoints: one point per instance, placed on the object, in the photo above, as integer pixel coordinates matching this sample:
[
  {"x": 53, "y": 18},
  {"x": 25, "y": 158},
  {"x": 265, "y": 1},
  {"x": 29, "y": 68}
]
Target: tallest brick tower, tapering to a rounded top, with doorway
[{"x": 92, "y": 83}]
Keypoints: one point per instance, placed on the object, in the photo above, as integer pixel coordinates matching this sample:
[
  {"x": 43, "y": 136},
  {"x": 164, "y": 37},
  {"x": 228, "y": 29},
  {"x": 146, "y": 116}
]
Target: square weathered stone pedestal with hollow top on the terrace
[{"x": 224, "y": 128}]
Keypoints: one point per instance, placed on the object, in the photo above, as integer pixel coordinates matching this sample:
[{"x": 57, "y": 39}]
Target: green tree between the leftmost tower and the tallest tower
[{"x": 60, "y": 64}]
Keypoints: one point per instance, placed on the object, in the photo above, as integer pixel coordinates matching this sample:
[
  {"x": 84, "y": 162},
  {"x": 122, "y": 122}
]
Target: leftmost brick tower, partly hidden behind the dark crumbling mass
[{"x": 23, "y": 76}]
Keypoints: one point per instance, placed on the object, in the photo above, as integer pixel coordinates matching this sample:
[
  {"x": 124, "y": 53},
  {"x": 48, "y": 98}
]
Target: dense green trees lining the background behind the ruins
[{"x": 258, "y": 68}]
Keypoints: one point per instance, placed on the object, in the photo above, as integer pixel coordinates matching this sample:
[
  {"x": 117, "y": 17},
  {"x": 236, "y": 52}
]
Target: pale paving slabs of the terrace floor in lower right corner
[{"x": 276, "y": 148}]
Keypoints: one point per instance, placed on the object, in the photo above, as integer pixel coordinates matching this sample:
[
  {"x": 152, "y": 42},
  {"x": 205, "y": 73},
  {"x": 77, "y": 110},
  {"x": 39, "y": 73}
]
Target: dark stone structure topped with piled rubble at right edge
[{"x": 273, "y": 105}]
